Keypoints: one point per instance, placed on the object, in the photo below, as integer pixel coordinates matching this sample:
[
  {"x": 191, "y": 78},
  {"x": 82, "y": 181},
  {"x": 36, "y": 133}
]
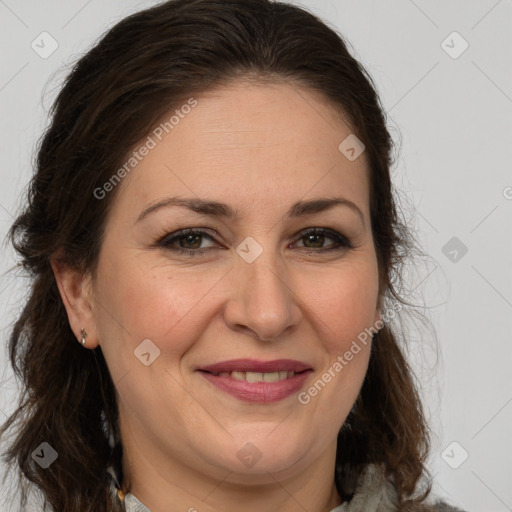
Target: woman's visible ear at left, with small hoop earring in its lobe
[{"x": 75, "y": 289}]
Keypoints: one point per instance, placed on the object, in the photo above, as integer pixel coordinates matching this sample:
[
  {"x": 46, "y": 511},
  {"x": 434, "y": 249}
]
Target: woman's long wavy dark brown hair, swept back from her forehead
[{"x": 115, "y": 94}]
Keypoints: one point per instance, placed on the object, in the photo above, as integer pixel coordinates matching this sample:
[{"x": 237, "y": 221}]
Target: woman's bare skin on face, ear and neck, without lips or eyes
[{"x": 259, "y": 148}]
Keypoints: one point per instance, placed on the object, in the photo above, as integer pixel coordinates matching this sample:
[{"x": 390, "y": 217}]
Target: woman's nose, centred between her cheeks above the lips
[{"x": 262, "y": 301}]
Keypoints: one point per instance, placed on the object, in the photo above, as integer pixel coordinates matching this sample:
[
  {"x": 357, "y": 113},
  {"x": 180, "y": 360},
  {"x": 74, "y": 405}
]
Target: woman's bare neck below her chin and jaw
[{"x": 166, "y": 484}]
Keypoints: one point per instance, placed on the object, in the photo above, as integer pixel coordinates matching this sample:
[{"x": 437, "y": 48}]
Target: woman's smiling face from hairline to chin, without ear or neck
[{"x": 252, "y": 285}]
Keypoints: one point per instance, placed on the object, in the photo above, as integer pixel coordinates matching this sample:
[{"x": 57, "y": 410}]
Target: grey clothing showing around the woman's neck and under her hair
[{"x": 373, "y": 493}]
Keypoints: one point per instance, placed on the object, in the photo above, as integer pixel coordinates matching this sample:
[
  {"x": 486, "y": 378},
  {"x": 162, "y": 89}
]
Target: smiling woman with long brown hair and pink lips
[{"x": 258, "y": 370}]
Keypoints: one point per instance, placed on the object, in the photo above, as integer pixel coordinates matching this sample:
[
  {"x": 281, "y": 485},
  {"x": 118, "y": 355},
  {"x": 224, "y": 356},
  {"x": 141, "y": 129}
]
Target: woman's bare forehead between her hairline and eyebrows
[{"x": 250, "y": 145}]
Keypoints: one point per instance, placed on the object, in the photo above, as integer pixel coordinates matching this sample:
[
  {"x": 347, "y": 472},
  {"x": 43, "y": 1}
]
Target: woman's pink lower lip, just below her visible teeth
[{"x": 260, "y": 392}]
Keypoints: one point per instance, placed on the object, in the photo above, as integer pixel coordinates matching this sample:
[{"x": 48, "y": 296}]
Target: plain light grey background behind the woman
[{"x": 454, "y": 116}]
